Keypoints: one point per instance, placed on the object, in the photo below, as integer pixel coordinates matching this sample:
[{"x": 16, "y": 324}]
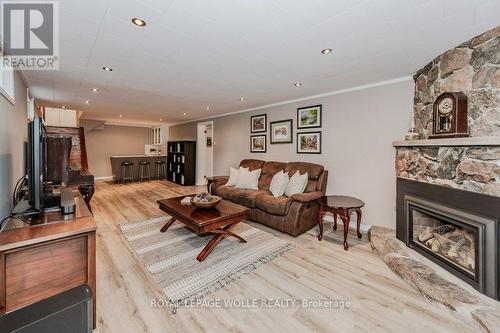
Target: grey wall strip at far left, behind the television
[{"x": 13, "y": 132}]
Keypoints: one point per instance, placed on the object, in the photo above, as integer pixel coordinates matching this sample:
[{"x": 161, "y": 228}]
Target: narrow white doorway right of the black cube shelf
[{"x": 204, "y": 152}]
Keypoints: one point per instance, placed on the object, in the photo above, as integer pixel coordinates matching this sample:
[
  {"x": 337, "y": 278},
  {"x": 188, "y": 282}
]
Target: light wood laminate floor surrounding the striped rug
[{"x": 380, "y": 301}]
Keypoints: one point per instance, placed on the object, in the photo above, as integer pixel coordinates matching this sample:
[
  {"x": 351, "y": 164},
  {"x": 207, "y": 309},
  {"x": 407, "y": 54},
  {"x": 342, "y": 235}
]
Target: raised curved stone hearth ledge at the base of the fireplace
[{"x": 470, "y": 305}]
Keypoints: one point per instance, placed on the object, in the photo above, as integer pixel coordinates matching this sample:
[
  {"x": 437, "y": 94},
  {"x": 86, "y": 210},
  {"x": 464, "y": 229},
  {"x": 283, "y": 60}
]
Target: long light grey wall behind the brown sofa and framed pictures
[{"x": 358, "y": 130}]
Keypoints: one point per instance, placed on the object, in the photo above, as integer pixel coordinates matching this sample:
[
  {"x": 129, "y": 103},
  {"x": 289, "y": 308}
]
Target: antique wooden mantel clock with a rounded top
[{"x": 450, "y": 116}]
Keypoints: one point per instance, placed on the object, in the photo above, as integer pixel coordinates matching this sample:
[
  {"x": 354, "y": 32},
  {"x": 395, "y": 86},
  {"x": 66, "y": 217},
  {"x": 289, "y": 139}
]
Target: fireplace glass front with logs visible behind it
[{"x": 445, "y": 238}]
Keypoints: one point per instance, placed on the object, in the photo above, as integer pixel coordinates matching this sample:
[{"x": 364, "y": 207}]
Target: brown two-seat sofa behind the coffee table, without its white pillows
[{"x": 293, "y": 215}]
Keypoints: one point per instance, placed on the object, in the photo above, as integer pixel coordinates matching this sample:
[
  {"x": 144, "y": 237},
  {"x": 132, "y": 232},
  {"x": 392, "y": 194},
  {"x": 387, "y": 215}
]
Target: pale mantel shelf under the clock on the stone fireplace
[{"x": 451, "y": 142}]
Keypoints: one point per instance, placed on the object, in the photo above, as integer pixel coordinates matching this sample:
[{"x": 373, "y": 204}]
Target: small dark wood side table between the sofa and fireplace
[{"x": 343, "y": 206}]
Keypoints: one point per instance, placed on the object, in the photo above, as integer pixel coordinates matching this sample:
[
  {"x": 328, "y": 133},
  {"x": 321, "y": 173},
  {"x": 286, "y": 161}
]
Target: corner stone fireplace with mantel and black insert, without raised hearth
[{"x": 448, "y": 190}]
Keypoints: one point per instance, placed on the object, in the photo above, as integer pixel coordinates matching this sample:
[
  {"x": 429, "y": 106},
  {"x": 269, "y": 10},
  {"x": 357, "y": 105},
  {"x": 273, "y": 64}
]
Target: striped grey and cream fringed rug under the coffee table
[{"x": 170, "y": 257}]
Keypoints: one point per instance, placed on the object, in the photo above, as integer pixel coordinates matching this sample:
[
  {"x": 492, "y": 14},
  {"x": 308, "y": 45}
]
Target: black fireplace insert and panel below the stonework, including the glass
[{"x": 457, "y": 229}]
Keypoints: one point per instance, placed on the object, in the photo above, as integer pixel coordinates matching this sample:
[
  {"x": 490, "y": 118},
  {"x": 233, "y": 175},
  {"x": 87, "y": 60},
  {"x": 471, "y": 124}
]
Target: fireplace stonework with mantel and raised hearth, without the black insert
[{"x": 466, "y": 166}]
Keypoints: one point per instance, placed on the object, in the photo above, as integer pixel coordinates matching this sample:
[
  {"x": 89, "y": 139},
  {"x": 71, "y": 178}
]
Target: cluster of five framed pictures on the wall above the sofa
[{"x": 281, "y": 131}]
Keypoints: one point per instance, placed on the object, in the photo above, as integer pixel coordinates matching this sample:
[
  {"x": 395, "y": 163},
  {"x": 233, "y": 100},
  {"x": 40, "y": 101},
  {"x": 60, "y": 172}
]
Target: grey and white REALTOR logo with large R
[{"x": 29, "y": 33}]
